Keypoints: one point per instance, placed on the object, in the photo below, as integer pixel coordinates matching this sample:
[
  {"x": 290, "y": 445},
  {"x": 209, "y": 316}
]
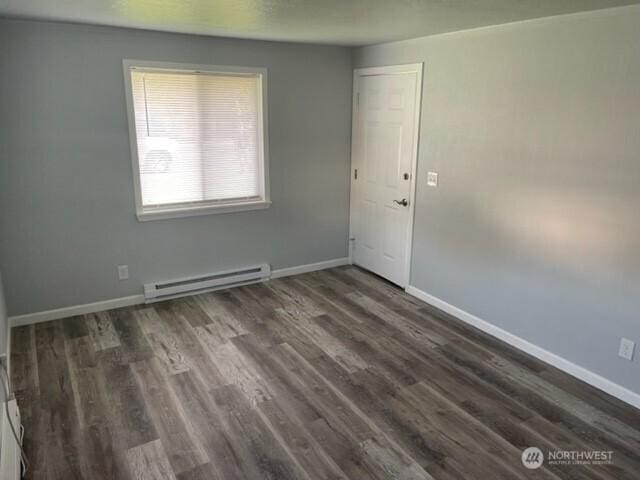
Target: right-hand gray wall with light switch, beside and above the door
[{"x": 534, "y": 128}]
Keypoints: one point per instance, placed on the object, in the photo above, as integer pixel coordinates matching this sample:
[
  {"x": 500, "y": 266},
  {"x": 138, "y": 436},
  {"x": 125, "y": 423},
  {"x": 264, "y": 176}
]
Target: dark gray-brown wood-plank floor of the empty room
[{"x": 328, "y": 375}]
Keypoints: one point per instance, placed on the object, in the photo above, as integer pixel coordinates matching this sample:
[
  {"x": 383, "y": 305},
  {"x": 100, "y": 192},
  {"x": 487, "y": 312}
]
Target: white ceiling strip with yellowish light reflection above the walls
[{"x": 344, "y": 22}]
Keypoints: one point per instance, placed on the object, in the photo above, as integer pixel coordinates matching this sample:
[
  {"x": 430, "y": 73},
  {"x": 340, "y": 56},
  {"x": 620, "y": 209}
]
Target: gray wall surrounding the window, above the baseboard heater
[{"x": 67, "y": 216}]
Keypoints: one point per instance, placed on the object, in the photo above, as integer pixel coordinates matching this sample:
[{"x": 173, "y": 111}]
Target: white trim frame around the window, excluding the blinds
[{"x": 199, "y": 208}]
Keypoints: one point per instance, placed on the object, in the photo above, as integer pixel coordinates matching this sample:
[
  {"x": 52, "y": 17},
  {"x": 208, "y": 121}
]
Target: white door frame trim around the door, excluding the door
[{"x": 416, "y": 68}]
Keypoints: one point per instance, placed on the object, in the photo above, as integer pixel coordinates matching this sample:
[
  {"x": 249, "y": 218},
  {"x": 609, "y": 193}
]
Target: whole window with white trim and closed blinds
[{"x": 197, "y": 138}]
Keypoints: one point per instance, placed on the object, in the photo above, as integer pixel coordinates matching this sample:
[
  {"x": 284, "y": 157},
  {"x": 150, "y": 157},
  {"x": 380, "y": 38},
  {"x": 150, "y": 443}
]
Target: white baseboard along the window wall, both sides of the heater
[{"x": 65, "y": 312}]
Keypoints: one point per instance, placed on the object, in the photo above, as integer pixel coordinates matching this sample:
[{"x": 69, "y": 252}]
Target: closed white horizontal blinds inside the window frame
[{"x": 197, "y": 137}]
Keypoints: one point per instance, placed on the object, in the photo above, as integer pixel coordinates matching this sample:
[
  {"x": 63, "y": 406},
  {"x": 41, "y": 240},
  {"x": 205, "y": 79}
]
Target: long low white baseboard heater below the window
[{"x": 155, "y": 292}]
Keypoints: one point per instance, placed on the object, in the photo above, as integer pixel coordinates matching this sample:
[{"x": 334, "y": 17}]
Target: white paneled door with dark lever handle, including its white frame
[{"x": 384, "y": 150}]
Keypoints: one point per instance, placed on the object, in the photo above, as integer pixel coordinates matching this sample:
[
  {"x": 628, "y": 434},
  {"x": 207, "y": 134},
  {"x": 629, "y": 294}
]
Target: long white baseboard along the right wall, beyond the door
[{"x": 540, "y": 353}]
